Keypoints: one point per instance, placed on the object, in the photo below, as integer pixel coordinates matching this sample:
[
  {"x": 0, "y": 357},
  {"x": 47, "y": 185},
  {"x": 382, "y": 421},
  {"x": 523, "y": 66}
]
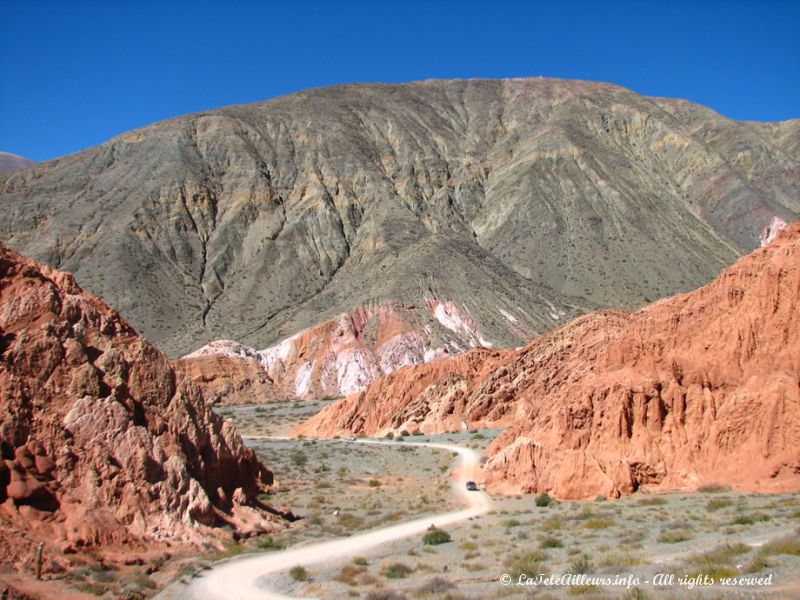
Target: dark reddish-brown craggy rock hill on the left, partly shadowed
[{"x": 102, "y": 442}]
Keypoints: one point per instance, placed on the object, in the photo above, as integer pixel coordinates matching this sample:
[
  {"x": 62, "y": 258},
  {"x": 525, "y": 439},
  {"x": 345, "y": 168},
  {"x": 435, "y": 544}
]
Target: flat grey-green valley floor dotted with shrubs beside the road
[{"x": 344, "y": 488}]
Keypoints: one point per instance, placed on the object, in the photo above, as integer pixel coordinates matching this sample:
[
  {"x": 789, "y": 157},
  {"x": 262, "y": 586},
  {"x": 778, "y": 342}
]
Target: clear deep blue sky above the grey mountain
[{"x": 74, "y": 74}]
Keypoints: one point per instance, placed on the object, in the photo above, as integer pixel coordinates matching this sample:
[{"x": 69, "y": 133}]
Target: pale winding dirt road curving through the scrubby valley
[{"x": 242, "y": 578}]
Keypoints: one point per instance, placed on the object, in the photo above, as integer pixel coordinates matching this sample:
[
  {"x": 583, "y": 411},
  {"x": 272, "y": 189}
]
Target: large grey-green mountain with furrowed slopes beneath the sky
[{"x": 520, "y": 201}]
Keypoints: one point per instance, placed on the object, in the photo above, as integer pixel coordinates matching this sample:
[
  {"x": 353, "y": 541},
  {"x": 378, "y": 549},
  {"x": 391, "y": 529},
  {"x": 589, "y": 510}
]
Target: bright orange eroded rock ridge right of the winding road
[{"x": 695, "y": 389}]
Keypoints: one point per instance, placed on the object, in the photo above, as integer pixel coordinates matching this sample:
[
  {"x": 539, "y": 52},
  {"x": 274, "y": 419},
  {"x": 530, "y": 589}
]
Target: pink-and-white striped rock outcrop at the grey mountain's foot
[{"x": 334, "y": 358}]
